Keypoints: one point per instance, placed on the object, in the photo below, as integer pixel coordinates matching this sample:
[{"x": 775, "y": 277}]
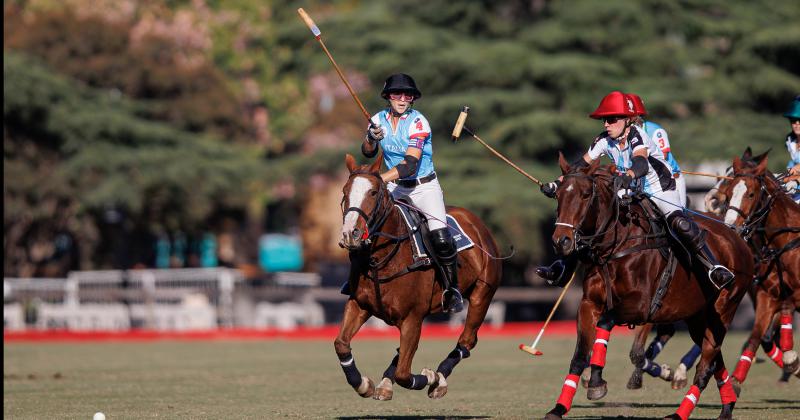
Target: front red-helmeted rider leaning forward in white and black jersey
[{"x": 642, "y": 165}]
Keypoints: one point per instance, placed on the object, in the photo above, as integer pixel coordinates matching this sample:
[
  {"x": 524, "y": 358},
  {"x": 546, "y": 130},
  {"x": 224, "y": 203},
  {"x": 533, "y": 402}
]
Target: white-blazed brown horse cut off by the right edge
[{"x": 770, "y": 222}]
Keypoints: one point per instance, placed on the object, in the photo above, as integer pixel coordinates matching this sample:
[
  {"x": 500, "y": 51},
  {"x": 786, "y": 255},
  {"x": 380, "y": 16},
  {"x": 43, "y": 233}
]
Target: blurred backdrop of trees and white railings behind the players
[{"x": 178, "y": 164}]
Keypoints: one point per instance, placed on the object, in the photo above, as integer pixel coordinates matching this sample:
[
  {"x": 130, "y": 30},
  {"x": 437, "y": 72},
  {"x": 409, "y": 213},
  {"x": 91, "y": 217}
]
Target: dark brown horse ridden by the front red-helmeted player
[{"x": 624, "y": 266}]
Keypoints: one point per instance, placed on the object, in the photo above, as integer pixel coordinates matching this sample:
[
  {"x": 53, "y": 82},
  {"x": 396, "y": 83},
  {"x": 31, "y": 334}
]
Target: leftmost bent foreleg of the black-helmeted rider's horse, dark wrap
[{"x": 354, "y": 318}]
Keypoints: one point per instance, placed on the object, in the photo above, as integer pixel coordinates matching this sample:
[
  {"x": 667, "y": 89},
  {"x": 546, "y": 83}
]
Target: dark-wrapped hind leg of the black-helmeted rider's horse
[{"x": 476, "y": 312}]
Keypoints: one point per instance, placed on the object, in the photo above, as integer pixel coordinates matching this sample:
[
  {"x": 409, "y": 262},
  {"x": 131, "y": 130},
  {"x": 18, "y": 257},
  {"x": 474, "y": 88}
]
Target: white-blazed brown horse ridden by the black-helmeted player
[{"x": 385, "y": 284}]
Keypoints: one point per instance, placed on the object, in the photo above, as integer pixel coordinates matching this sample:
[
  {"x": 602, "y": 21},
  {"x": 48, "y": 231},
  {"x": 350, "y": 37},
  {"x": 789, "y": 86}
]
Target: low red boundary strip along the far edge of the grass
[{"x": 329, "y": 332}]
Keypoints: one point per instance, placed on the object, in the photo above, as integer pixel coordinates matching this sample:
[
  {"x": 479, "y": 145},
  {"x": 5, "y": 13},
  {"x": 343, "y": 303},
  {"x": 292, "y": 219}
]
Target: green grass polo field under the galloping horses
[{"x": 302, "y": 379}]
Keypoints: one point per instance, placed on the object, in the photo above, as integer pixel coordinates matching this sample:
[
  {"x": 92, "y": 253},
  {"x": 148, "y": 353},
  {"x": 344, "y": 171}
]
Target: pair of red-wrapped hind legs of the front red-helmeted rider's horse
[{"x": 709, "y": 337}]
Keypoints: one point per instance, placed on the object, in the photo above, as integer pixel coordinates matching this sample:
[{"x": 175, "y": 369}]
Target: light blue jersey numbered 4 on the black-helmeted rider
[{"x": 412, "y": 130}]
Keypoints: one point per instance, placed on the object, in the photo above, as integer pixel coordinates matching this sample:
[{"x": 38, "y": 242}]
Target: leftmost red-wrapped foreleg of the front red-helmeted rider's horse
[{"x": 588, "y": 314}]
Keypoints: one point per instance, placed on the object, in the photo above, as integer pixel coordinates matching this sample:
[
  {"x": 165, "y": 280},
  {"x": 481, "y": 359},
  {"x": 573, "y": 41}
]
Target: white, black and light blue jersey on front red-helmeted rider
[{"x": 659, "y": 174}]
